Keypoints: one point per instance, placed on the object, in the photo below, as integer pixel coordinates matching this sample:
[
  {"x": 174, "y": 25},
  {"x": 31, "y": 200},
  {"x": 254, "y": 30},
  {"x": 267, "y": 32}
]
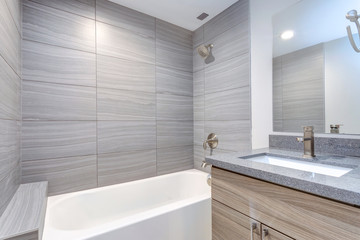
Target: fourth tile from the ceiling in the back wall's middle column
[{"x": 115, "y": 104}]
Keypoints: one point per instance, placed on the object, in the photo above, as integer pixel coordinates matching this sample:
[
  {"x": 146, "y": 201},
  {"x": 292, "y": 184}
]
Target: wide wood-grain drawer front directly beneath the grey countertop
[{"x": 297, "y": 214}]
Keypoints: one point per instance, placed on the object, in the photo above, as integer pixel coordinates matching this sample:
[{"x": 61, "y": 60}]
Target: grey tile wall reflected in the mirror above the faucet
[{"x": 299, "y": 91}]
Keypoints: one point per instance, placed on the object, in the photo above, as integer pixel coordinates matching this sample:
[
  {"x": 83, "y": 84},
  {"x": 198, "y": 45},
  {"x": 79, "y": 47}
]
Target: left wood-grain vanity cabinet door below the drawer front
[{"x": 228, "y": 224}]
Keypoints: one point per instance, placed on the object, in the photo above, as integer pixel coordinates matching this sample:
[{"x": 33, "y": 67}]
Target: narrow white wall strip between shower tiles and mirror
[{"x": 261, "y": 13}]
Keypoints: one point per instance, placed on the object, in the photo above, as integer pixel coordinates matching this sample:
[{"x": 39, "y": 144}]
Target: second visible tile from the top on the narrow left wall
[{"x": 10, "y": 38}]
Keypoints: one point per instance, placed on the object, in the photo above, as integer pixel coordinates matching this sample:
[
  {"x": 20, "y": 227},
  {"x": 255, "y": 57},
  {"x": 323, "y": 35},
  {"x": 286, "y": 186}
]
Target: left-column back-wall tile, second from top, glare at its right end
[{"x": 49, "y": 25}]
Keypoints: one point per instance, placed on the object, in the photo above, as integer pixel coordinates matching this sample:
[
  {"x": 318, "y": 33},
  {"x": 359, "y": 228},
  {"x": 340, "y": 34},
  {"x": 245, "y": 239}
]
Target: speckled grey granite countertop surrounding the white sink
[{"x": 345, "y": 188}]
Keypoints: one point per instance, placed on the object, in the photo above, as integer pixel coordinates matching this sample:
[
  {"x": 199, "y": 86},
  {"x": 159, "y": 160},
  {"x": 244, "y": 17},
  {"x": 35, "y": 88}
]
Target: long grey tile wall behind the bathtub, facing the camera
[{"x": 107, "y": 95}]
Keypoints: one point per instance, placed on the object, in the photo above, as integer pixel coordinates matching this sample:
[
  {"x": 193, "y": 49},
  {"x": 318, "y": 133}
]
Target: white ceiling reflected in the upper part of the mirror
[{"x": 313, "y": 21}]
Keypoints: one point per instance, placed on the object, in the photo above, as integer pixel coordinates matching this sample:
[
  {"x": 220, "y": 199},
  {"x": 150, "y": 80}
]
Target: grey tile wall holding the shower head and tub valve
[{"x": 221, "y": 88}]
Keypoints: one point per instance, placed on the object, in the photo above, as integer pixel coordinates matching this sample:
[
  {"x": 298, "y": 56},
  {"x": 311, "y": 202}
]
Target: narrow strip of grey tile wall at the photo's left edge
[{"x": 10, "y": 95}]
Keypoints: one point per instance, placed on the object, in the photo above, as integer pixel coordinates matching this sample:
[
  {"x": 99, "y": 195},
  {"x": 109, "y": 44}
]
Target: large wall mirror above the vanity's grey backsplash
[{"x": 316, "y": 72}]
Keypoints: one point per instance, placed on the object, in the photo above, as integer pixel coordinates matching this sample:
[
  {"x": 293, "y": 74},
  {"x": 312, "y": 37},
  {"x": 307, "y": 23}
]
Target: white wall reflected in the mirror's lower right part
[{"x": 342, "y": 86}]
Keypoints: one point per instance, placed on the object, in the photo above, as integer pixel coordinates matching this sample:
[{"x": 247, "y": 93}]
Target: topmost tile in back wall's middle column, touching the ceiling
[{"x": 123, "y": 17}]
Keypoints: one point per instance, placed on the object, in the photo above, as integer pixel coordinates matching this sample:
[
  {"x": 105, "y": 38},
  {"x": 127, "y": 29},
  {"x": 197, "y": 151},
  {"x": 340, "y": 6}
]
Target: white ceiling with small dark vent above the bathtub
[{"x": 179, "y": 12}]
